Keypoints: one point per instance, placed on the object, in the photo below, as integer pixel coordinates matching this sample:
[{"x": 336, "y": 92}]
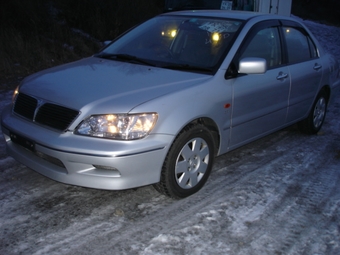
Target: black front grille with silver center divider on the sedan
[{"x": 48, "y": 114}]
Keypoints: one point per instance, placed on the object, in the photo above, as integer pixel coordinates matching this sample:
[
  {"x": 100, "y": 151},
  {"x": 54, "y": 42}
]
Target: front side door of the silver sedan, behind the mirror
[{"x": 260, "y": 100}]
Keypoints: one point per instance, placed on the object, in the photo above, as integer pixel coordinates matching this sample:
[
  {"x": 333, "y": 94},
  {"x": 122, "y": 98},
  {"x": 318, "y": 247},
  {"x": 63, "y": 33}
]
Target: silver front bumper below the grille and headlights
[{"x": 86, "y": 161}]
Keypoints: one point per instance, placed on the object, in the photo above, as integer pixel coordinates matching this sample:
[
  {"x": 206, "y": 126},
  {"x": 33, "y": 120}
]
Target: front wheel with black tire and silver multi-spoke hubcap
[{"x": 188, "y": 163}]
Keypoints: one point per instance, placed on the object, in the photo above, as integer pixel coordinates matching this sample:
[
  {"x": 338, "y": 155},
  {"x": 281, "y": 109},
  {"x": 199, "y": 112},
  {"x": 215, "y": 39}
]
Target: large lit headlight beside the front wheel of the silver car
[{"x": 118, "y": 126}]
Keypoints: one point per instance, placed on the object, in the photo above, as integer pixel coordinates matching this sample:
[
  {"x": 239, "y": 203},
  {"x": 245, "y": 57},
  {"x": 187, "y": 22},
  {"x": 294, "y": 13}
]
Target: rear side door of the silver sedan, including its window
[{"x": 305, "y": 69}]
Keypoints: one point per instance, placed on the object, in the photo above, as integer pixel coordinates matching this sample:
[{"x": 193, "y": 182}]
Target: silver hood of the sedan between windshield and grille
[{"x": 101, "y": 85}]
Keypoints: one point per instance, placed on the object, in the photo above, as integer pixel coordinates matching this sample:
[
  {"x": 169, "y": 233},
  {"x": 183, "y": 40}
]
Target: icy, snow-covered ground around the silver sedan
[{"x": 278, "y": 195}]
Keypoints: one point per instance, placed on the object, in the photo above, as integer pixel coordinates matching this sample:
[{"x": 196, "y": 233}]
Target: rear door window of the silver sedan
[{"x": 300, "y": 47}]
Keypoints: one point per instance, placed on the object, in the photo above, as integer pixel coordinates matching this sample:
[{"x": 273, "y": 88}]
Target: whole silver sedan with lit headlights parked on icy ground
[{"x": 161, "y": 101}]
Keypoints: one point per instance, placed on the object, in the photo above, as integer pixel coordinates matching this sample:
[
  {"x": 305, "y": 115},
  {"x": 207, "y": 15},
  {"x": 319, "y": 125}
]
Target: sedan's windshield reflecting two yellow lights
[{"x": 176, "y": 42}]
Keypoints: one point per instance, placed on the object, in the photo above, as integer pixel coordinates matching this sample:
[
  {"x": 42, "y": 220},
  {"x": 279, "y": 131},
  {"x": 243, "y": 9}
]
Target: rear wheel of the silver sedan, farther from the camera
[{"x": 313, "y": 123}]
